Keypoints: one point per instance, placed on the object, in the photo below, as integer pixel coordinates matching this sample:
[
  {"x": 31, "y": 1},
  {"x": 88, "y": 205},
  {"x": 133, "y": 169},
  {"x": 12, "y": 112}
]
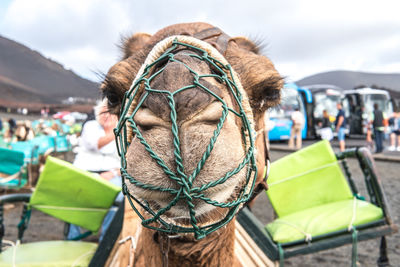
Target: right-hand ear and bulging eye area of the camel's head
[{"x": 258, "y": 75}]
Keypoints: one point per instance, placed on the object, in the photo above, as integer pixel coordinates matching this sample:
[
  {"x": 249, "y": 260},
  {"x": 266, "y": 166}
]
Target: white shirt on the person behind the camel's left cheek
[{"x": 89, "y": 156}]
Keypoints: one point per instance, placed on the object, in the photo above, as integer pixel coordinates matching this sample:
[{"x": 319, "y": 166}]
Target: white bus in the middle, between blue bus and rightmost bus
[{"x": 324, "y": 96}]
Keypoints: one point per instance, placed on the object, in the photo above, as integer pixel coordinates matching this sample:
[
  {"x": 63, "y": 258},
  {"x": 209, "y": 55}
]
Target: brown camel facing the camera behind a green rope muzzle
[{"x": 197, "y": 116}]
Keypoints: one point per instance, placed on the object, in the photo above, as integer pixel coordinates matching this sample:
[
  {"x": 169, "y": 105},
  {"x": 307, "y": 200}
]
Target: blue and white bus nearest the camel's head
[{"x": 280, "y": 123}]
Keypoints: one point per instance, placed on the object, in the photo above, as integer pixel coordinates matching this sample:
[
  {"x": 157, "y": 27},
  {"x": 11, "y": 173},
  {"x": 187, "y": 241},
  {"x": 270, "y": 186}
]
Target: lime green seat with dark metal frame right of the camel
[{"x": 318, "y": 205}]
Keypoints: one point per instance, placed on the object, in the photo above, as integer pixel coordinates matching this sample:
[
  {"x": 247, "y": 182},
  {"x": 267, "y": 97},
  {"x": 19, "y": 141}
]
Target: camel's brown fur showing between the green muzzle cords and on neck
[{"x": 197, "y": 119}]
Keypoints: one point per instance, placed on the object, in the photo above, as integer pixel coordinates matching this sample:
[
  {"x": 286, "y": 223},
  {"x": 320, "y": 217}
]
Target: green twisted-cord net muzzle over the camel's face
[{"x": 186, "y": 191}]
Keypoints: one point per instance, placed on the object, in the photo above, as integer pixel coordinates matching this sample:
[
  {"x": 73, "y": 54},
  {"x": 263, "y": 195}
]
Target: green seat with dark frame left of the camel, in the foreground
[{"x": 73, "y": 196}]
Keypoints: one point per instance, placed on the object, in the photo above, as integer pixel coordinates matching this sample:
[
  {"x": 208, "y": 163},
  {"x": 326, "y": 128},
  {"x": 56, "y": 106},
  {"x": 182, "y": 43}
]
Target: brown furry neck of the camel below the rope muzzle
[{"x": 216, "y": 249}]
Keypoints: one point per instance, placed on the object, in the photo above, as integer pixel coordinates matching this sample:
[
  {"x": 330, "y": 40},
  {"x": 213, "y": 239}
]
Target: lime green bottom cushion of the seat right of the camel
[{"x": 322, "y": 219}]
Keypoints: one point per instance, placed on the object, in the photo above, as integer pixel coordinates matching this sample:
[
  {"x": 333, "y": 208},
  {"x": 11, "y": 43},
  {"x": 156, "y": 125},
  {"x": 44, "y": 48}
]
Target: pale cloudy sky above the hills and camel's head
[{"x": 301, "y": 38}]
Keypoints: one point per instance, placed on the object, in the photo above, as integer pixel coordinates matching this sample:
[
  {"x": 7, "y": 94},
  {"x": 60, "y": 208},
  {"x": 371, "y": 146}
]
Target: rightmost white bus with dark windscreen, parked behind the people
[{"x": 358, "y": 105}]
